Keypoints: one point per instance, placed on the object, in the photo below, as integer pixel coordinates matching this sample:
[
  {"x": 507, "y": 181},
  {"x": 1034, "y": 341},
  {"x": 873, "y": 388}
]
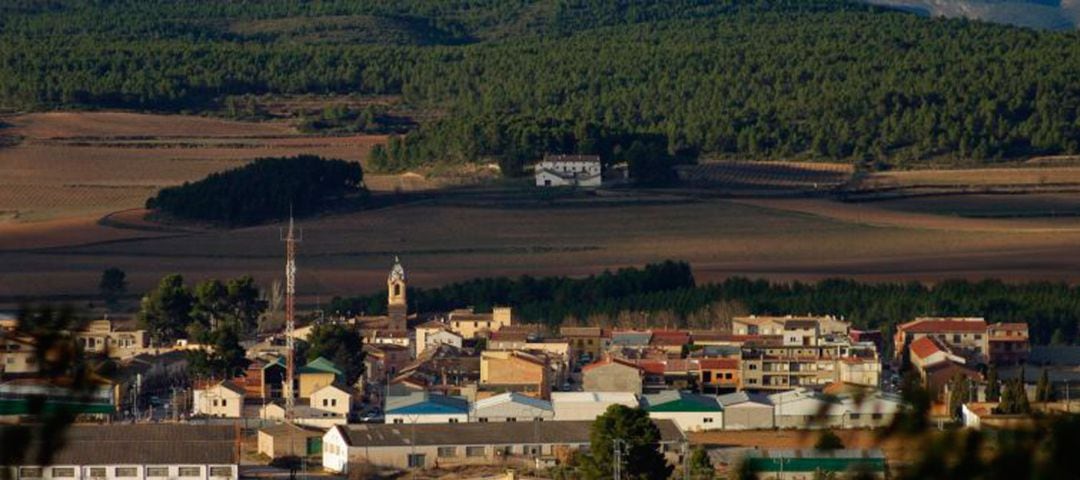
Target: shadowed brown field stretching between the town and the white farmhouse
[{"x": 445, "y": 238}]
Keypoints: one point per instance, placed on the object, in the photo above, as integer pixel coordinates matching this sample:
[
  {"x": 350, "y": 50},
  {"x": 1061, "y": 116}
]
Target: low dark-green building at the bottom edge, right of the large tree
[{"x": 809, "y": 464}]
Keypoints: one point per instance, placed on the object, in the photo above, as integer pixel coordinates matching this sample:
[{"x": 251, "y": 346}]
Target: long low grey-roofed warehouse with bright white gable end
[{"x": 447, "y": 446}]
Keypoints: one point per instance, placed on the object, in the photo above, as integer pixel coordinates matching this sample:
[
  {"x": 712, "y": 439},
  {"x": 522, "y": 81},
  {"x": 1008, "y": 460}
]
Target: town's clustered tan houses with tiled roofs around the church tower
[{"x": 477, "y": 388}]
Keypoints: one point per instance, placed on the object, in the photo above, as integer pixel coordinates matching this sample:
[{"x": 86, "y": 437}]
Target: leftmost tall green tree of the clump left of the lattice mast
[{"x": 167, "y": 311}]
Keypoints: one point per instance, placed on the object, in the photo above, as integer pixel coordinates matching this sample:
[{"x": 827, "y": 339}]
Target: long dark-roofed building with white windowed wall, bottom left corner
[{"x": 147, "y": 452}]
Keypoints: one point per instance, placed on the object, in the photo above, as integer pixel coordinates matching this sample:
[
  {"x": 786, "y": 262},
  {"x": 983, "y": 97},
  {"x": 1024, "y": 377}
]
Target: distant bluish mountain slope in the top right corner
[{"x": 1046, "y": 15}]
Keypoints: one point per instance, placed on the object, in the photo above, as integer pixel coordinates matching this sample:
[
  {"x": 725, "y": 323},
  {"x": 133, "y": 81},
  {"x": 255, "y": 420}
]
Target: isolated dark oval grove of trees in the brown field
[{"x": 268, "y": 189}]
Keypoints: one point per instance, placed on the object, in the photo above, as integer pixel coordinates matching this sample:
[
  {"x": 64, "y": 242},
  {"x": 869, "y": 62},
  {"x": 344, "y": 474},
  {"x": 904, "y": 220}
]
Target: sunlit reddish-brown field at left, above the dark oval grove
[{"x": 75, "y": 165}]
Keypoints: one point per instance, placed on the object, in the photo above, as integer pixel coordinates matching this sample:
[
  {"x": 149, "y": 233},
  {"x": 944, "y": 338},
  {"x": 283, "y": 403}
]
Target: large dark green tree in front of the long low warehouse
[{"x": 639, "y": 439}]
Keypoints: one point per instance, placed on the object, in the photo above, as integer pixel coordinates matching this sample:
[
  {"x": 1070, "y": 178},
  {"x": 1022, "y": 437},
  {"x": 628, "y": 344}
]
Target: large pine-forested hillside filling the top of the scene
[{"x": 814, "y": 79}]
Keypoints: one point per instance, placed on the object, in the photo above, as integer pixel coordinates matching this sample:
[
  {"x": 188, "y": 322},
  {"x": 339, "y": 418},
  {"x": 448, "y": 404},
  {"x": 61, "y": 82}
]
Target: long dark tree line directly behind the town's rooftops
[{"x": 1051, "y": 310}]
